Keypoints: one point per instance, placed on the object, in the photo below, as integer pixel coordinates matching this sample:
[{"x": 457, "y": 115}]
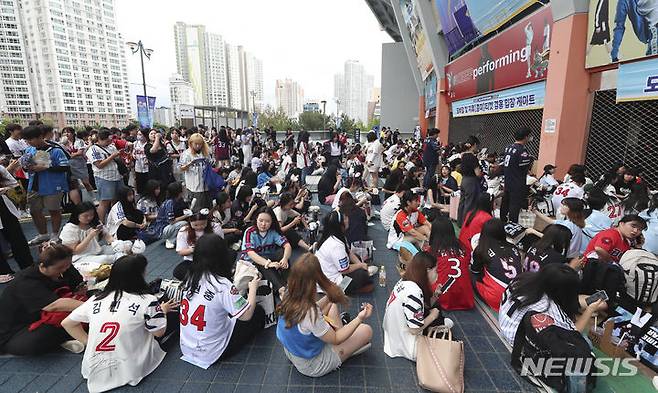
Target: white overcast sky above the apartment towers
[{"x": 305, "y": 40}]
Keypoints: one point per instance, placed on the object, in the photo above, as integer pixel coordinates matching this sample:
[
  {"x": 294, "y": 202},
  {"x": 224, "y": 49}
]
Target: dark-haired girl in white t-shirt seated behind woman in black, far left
[{"x": 82, "y": 234}]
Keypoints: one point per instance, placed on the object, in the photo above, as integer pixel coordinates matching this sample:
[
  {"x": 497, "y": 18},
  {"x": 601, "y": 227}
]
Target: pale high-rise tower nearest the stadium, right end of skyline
[{"x": 353, "y": 89}]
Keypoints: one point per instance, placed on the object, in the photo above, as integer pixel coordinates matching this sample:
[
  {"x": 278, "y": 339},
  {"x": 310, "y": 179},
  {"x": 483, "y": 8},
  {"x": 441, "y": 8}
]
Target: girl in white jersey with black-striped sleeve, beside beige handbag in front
[{"x": 407, "y": 311}]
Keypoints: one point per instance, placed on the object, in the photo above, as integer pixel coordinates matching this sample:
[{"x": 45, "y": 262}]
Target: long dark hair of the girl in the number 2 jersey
[{"x": 127, "y": 275}]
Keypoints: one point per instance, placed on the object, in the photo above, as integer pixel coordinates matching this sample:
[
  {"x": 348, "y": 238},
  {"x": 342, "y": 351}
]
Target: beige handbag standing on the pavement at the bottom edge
[{"x": 440, "y": 362}]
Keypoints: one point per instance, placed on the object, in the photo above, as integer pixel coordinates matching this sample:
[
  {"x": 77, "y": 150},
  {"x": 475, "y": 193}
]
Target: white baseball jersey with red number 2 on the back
[{"x": 121, "y": 349}]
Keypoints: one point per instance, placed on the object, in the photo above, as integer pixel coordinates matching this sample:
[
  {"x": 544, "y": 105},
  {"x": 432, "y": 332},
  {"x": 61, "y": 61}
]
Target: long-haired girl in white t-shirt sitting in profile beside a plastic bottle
[{"x": 337, "y": 260}]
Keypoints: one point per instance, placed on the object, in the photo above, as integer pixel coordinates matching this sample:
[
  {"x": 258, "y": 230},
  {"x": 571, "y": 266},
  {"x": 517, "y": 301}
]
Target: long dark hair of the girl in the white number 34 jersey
[{"x": 210, "y": 257}]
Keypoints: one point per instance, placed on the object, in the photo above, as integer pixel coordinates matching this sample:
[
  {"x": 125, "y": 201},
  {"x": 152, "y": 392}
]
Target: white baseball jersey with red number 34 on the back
[{"x": 207, "y": 317}]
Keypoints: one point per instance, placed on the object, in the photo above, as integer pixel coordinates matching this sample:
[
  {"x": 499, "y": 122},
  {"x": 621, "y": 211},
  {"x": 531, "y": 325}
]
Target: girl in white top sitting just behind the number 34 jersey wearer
[{"x": 197, "y": 225}]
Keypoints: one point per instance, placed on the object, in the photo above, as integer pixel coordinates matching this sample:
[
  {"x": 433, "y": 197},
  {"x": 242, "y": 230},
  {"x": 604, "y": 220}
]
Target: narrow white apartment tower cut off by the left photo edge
[{"x": 15, "y": 92}]
